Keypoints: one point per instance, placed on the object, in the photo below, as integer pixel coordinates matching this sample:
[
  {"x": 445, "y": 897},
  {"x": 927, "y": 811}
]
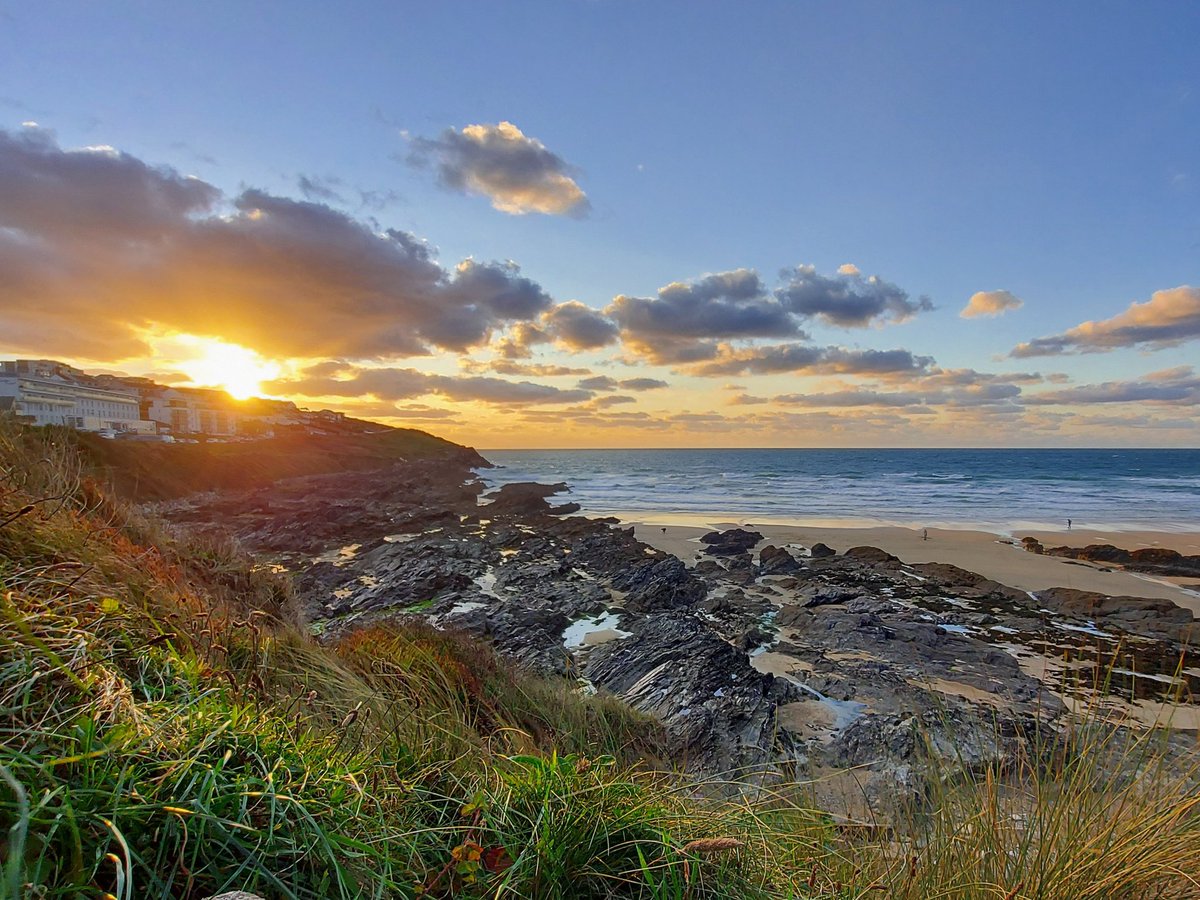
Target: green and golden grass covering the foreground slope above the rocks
[{"x": 167, "y": 730}]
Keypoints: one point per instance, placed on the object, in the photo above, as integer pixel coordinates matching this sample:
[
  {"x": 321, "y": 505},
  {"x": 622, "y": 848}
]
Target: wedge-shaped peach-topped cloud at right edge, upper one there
[{"x": 1169, "y": 317}]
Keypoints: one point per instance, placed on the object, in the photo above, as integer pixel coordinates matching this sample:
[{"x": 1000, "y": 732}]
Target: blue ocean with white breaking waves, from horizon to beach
[{"x": 994, "y": 490}]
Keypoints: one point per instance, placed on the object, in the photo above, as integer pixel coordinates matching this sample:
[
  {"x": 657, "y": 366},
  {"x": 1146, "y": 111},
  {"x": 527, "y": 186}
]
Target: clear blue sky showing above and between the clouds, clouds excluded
[{"x": 1051, "y": 151}]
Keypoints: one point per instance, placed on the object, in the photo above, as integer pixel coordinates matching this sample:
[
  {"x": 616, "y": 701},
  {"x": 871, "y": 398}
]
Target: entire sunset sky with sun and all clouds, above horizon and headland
[{"x": 599, "y": 224}]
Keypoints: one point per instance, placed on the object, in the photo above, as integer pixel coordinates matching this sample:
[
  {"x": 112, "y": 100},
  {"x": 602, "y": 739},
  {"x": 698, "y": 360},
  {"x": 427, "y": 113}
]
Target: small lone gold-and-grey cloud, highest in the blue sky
[{"x": 517, "y": 173}]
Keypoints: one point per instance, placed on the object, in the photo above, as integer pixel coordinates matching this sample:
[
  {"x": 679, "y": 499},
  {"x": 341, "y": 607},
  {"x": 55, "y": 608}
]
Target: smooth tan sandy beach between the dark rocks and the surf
[{"x": 995, "y": 556}]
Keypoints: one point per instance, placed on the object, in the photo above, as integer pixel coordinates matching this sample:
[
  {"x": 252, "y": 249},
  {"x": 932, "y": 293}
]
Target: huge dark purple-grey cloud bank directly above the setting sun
[{"x": 98, "y": 247}]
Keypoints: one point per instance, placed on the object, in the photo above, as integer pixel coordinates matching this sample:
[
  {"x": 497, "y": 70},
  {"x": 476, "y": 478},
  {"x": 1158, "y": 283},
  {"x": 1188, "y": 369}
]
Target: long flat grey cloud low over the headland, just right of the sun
[{"x": 394, "y": 385}]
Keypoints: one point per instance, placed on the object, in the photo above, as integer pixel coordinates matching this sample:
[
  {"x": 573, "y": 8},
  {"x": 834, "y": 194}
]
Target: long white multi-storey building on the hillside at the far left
[{"x": 47, "y": 393}]
